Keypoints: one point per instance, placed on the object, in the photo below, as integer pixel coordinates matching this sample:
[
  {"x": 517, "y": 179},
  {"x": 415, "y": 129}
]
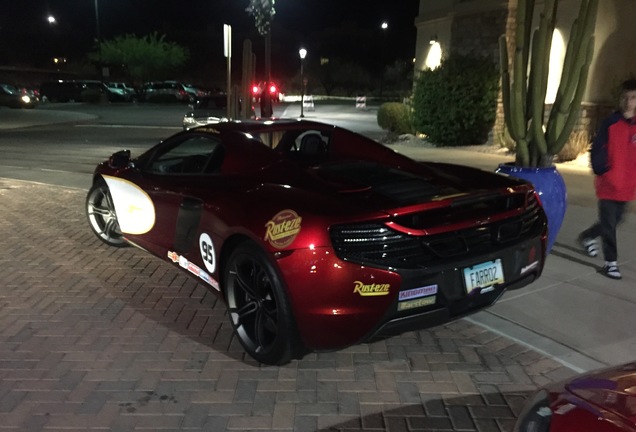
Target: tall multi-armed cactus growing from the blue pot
[{"x": 538, "y": 141}]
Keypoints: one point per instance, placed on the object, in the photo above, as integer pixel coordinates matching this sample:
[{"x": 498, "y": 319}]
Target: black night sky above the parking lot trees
[{"x": 26, "y": 37}]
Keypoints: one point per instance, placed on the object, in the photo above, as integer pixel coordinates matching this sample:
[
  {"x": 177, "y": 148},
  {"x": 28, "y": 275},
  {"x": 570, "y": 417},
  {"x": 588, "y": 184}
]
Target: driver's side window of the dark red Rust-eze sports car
[{"x": 195, "y": 155}]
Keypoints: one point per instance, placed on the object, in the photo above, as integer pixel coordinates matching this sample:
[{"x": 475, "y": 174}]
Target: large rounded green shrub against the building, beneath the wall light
[{"x": 455, "y": 104}]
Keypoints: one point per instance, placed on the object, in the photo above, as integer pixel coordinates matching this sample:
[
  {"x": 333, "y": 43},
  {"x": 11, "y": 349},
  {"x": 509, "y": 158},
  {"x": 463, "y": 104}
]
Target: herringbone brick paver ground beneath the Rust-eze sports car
[{"x": 99, "y": 338}]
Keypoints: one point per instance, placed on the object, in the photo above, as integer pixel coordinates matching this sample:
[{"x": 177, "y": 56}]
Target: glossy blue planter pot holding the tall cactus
[{"x": 551, "y": 188}]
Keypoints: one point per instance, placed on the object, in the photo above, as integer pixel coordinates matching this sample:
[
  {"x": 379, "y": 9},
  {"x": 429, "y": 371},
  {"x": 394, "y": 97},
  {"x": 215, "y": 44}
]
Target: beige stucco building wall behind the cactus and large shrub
[{"x": 475, "y": 26}]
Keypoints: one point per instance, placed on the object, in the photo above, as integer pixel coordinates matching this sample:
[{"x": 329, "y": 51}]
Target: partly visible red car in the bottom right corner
[{"x": 599, "y": 401}]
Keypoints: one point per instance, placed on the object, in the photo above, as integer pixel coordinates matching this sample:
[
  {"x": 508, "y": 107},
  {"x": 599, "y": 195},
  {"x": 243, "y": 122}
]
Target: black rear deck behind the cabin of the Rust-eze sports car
[{"x": 391, "y": 187}]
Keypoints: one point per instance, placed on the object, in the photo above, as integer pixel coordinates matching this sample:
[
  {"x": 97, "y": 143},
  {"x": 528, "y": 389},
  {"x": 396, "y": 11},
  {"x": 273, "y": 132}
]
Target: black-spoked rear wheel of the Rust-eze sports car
[{"x": 258, "y": 307}]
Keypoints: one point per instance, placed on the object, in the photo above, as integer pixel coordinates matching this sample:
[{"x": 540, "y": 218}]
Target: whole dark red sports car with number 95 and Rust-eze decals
[{"x": 318, "y": 238}]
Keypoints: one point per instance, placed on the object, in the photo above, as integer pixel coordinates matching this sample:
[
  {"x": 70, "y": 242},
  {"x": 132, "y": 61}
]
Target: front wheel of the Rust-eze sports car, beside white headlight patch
[{"x": 101, "y": 215}]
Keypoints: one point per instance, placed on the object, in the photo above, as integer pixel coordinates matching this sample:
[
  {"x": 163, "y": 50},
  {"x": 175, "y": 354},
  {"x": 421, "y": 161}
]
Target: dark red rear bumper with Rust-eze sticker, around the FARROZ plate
[{"x": 333, "y": 311}]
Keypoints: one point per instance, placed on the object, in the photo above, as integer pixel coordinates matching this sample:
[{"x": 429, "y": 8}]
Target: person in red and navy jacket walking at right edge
[{"x": 613, "y": 158}]
